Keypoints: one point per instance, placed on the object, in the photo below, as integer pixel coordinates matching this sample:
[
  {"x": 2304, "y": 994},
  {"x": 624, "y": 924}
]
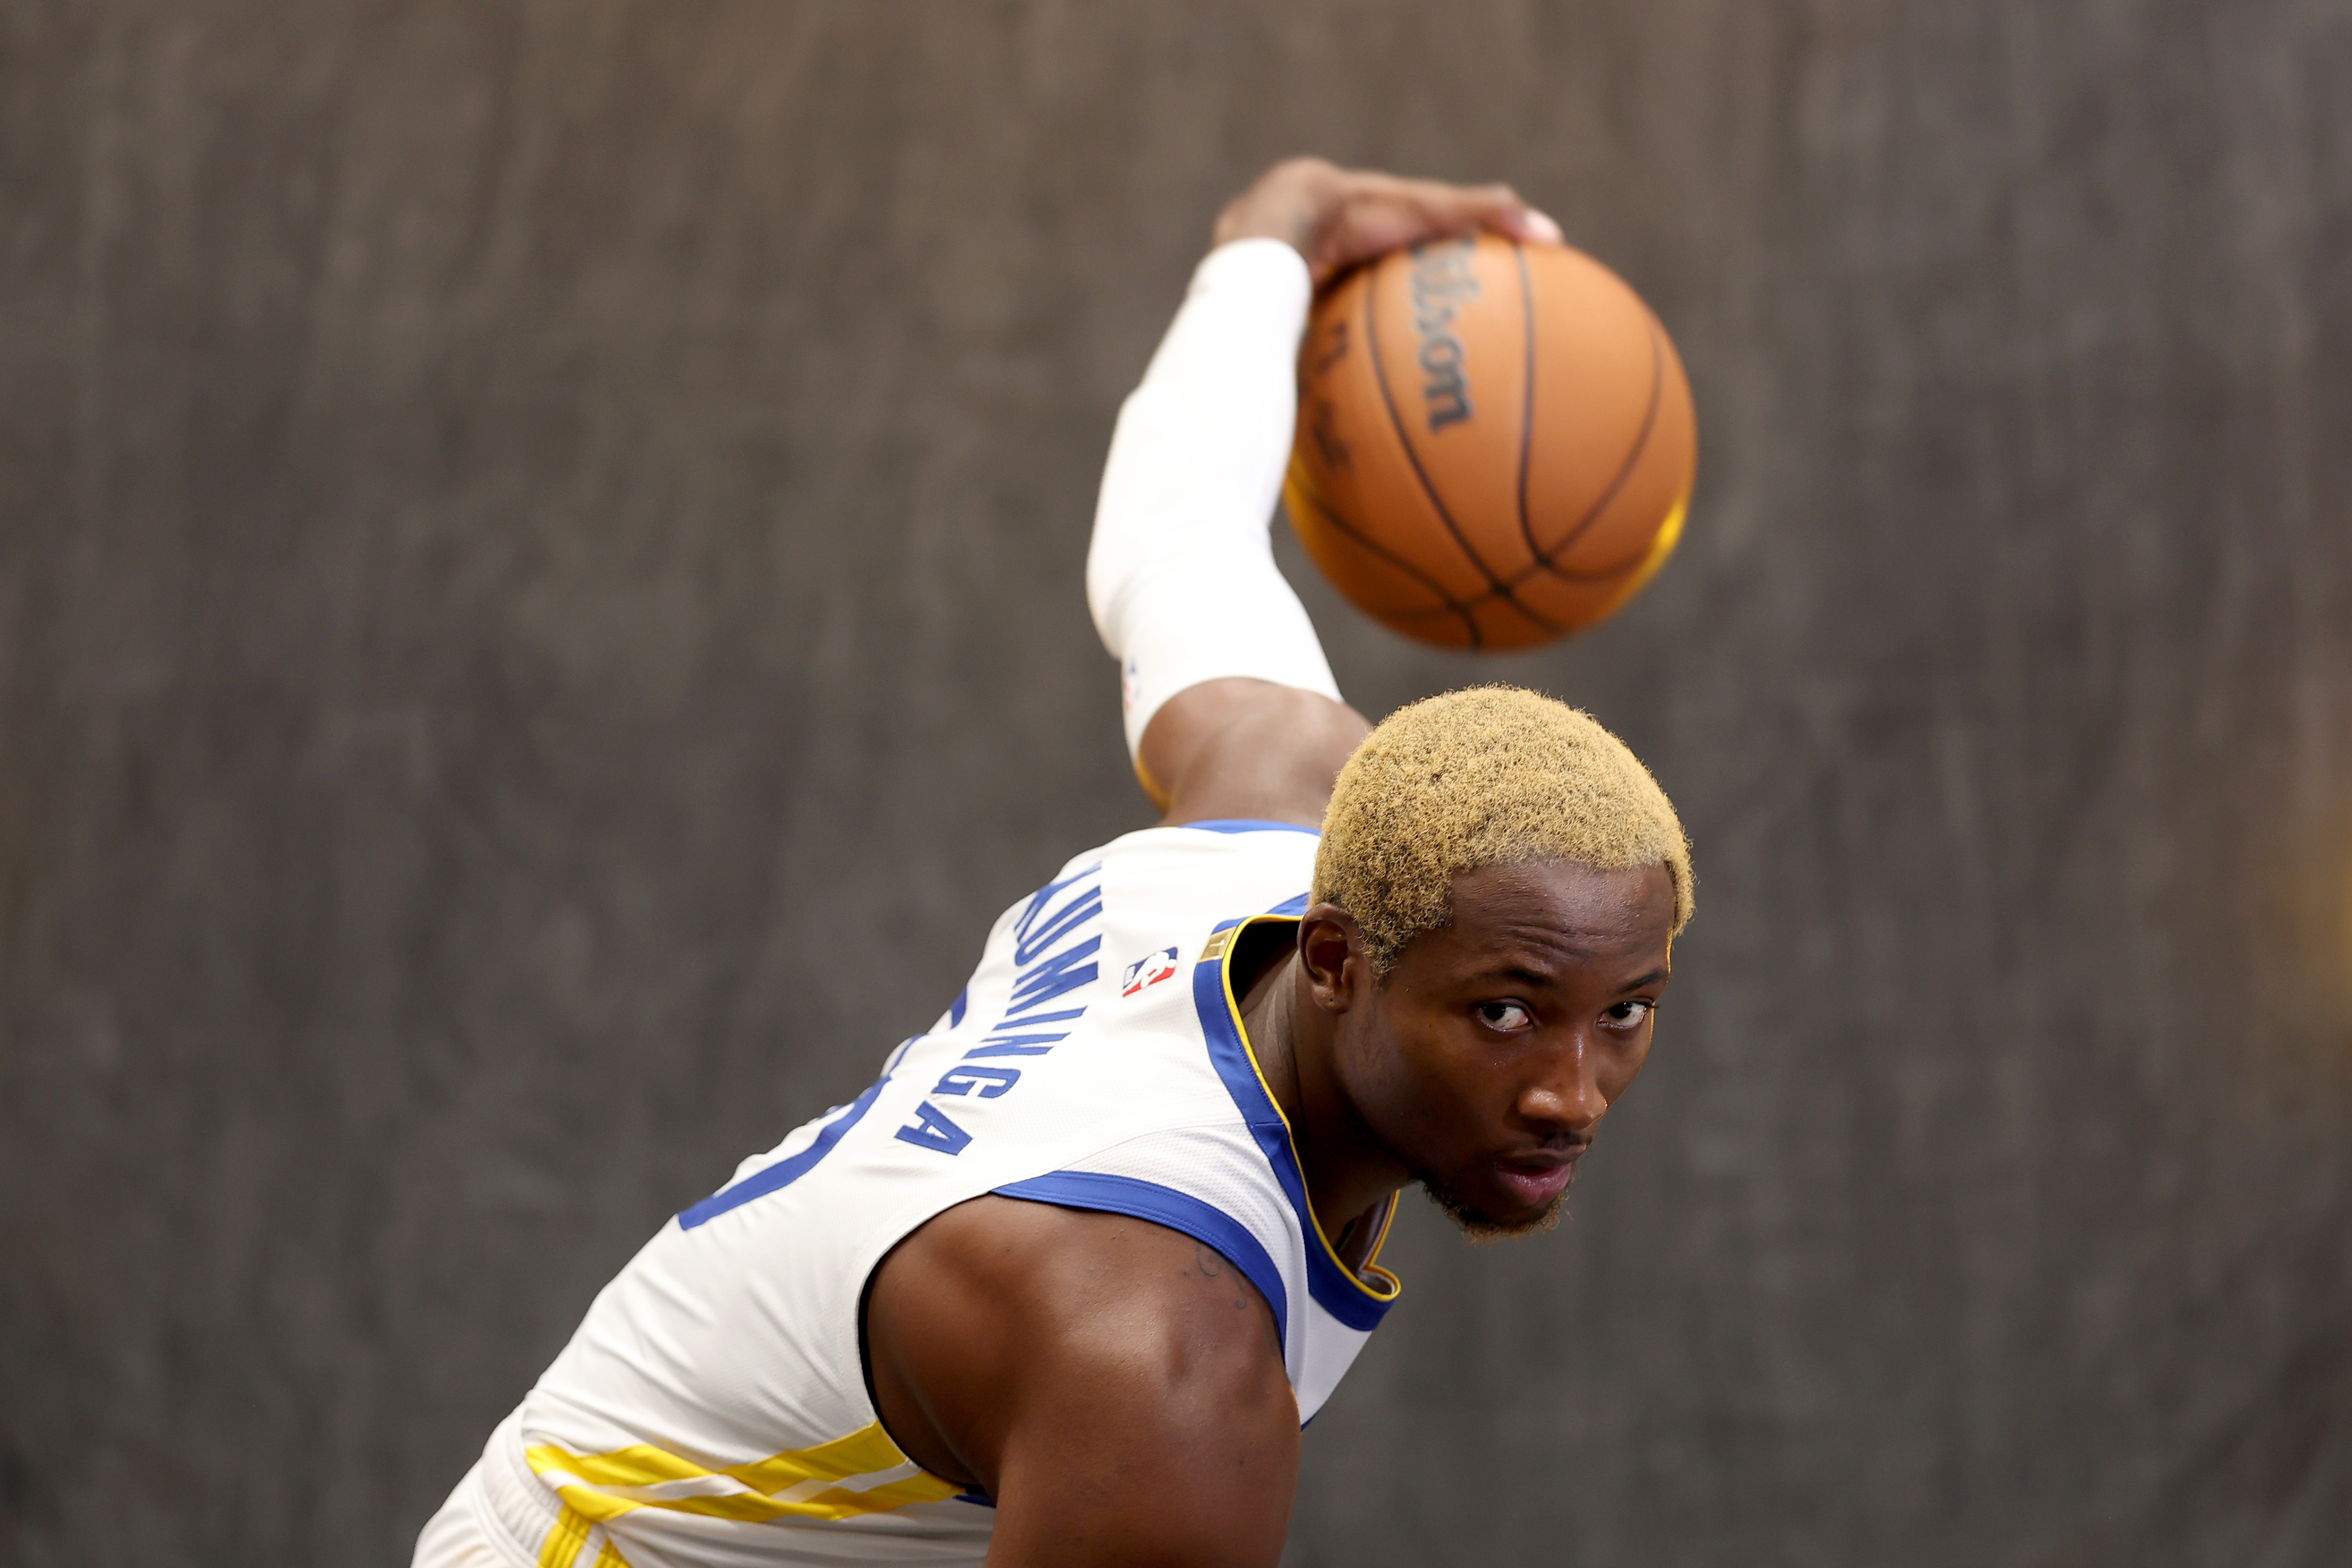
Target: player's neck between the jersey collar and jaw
[{"x": 1297, "y": 1045}]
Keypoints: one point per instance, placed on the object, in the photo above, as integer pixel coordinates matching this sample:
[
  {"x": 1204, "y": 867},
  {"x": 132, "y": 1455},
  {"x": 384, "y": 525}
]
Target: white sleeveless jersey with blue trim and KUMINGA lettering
[{"x": 714, "y": 1412}]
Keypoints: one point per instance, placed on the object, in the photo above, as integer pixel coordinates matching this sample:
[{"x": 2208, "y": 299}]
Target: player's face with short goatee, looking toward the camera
[{"x": 1495, "y": 1047}]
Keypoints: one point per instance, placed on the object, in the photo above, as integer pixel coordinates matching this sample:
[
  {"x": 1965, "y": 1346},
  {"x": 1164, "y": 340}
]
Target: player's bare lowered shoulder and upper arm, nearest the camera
[{"x": 1116, "y": 1386}]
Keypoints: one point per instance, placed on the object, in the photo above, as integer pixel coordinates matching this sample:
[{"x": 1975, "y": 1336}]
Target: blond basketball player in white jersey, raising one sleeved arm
[{"x": 1067, "y": 1282}]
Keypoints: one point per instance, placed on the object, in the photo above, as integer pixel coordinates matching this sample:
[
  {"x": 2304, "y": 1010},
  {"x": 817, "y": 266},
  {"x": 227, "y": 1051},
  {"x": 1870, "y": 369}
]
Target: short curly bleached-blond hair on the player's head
[{"x": 1485, "y": 777}]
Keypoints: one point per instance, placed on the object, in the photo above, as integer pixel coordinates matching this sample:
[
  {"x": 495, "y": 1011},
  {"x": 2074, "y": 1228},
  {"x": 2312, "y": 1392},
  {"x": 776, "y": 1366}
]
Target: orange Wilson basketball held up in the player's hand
[{"x": 1495, "y": 443}]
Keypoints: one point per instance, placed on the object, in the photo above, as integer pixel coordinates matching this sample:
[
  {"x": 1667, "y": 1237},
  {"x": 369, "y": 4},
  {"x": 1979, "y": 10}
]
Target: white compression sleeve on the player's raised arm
[{"x": 1182, "y": 572}]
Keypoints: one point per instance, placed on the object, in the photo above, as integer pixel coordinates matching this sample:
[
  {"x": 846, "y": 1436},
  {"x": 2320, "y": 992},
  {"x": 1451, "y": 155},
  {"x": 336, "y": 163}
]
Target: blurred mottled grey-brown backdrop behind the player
[{"x": 540, "y": 619}]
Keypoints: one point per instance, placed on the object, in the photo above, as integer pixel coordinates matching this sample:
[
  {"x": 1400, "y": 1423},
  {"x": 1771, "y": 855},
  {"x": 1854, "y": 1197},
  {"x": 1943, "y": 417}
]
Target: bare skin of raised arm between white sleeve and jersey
[{"x": 1248, "y": 749}]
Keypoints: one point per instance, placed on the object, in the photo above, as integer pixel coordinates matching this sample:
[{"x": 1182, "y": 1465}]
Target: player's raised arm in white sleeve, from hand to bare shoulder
[{"x": 1231, "y": 706}]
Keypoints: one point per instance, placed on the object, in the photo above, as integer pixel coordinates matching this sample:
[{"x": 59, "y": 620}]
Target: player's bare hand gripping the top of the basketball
[{"x": 1337, "y": 217}]
